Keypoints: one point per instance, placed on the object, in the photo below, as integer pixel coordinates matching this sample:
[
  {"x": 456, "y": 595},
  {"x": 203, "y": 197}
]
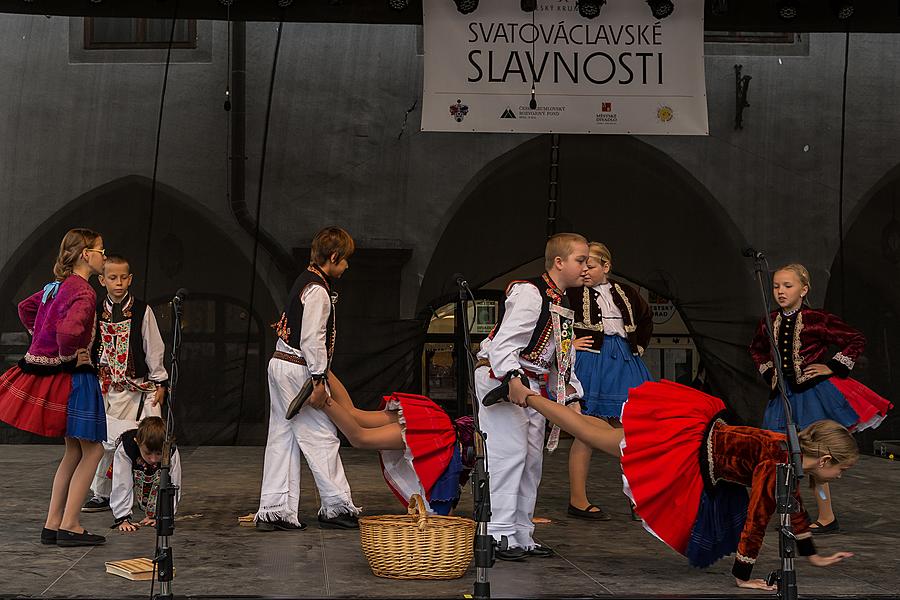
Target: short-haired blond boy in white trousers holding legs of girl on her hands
[{"x": 534, "y": 339}]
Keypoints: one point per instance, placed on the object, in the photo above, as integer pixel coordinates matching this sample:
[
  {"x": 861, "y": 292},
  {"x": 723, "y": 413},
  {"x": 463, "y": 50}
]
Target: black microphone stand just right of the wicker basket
[{"x": 485, "y": 545}]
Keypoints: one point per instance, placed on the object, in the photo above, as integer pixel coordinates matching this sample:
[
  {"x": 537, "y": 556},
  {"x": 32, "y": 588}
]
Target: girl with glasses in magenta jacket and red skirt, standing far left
[{"x": 54, "y": 390}]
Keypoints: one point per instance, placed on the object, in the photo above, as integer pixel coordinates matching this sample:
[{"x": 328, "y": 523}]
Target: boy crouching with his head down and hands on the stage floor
[{"x": 136, "y": 473}]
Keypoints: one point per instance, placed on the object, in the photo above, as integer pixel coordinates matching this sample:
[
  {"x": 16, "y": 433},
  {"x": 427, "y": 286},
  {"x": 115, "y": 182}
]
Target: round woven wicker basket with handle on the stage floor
[{"x": 417, "y": 545}]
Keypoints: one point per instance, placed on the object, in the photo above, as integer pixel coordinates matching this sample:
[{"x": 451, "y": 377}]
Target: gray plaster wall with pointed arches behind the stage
[{"x": 344, "y": 143}]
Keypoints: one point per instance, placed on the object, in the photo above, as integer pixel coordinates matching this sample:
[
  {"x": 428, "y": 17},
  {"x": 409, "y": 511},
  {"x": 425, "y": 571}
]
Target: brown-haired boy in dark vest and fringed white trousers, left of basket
[{"x": 306, "y": 334}]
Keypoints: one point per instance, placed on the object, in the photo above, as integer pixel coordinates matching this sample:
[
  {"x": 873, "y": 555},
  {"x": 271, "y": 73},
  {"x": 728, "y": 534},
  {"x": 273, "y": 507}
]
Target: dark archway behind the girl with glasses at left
[{"x": 190, "y": 248}]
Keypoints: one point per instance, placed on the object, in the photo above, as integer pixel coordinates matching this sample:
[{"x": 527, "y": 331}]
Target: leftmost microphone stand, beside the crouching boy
[{"x": 163, "y": 562}]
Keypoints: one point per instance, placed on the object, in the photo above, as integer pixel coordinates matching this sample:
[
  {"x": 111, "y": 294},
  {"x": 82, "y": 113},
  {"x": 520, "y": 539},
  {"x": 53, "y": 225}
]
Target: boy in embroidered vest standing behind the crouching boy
[{"x": 129, "y": 351}]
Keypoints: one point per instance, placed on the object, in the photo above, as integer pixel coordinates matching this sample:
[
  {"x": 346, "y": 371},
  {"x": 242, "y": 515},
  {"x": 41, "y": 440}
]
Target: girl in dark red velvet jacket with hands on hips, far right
[{"x": 817, "y": 383}]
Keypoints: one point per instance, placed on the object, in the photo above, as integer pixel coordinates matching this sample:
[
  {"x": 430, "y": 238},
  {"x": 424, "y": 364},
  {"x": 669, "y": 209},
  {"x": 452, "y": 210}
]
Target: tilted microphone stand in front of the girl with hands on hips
[{"x": 788, "y": 475}]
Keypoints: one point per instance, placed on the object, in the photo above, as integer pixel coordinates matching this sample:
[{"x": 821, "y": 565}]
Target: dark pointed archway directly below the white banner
[{"x": 665, "y": 229}]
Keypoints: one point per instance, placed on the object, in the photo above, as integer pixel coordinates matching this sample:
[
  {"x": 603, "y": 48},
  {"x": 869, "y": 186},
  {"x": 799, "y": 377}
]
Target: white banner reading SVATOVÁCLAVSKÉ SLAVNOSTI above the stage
[{"x": 622, "y": 72}]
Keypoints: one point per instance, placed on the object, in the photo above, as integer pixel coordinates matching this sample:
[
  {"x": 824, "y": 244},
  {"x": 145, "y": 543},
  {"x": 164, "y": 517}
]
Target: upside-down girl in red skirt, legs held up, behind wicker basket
[{"x": 418, "y": 443}]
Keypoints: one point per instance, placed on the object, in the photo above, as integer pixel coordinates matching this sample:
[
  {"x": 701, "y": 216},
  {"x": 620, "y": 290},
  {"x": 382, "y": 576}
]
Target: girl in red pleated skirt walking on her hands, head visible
[{"x": 687, "y": 472}]
